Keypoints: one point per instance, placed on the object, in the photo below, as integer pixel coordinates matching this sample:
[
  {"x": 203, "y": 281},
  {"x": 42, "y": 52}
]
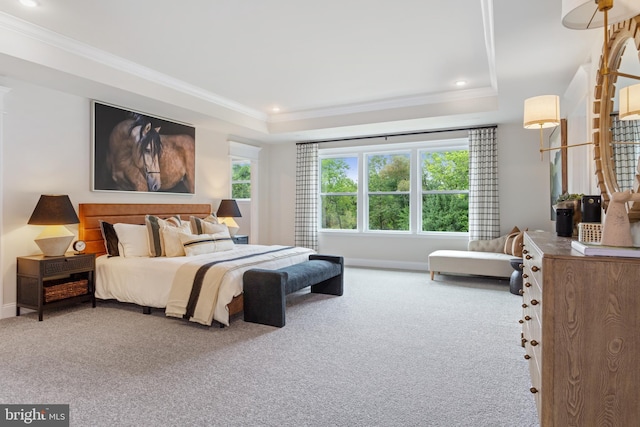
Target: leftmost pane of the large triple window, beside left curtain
[{"x": 339, "y": 193}]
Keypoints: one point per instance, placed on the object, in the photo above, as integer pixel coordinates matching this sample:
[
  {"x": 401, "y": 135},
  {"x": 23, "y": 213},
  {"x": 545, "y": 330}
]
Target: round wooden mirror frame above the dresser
[{"x": 604, "y": 93}]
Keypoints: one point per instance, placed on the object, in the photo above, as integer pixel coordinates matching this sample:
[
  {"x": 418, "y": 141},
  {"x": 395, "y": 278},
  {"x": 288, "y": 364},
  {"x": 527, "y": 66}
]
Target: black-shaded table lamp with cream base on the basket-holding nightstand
[{"x": 54, "y": 212}]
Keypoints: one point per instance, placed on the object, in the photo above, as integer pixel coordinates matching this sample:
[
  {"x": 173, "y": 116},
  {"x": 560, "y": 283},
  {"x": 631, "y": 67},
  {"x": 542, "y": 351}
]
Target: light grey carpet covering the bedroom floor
[{"x": 396, "y": 350}]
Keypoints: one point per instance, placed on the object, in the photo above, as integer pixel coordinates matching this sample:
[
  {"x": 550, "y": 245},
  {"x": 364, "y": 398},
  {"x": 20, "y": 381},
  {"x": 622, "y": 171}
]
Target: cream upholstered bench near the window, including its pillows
[{"x": 484, "y": 258}]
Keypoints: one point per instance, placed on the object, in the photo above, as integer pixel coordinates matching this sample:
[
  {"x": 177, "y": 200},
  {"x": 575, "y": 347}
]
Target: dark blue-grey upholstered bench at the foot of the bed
[{"x": 265, "y": 290}]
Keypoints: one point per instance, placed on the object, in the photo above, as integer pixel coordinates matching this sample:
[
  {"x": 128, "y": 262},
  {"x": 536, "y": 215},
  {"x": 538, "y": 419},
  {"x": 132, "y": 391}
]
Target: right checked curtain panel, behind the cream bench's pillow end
[{"x": 484, "y": 207}]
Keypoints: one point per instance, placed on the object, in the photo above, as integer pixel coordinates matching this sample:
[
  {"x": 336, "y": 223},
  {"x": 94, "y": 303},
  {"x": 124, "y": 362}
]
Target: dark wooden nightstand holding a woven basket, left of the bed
[{"x": 46, "y": 281}]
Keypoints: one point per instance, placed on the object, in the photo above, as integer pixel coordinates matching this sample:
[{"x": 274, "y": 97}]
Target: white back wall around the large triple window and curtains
[{"x": 524, "y": 194}]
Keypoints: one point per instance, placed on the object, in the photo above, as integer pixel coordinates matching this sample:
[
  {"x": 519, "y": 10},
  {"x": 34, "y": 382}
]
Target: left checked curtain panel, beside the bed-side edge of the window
[{"x": 306, "y": 227}]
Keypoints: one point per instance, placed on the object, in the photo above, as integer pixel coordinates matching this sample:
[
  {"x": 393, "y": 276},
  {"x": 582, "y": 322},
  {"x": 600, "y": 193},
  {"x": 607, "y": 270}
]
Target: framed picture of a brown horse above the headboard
[{"x": 133, "y": 151}]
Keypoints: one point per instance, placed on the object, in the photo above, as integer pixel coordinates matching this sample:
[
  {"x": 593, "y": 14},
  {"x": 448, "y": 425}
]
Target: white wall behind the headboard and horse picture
[{"x": 47, "y": 150}]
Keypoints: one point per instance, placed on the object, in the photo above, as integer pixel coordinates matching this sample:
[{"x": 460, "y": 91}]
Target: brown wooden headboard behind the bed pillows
[{"x": 130, "y": 213}]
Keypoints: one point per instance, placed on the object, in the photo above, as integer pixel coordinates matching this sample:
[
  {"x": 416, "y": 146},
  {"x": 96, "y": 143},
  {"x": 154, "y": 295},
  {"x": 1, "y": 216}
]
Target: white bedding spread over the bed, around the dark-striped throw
[{"x": 148, "y": 281}]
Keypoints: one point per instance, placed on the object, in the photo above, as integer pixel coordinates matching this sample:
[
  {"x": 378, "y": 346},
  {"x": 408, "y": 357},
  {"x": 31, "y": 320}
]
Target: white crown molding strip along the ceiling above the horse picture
[{"x": 83, "y": 50}]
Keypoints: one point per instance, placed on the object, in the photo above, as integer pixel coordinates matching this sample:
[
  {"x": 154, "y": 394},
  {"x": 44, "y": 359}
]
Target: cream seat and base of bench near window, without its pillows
[{"x": 470, "y": 262}]
